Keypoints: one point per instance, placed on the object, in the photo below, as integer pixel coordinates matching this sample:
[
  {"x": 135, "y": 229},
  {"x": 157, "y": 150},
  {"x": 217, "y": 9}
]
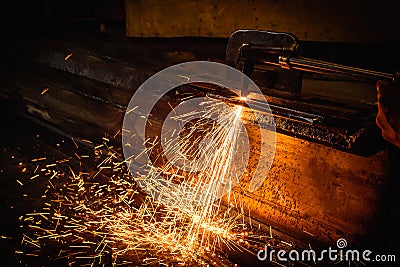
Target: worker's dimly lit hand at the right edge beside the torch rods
[{"x": 388, "y": 118}]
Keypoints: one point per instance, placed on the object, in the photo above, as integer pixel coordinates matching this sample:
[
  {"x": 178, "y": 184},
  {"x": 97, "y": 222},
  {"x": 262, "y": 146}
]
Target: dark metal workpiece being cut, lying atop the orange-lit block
[{"x": 349, "y": 131}]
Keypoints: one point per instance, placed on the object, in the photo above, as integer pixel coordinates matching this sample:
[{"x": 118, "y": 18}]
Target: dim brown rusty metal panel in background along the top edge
[{"x": 345, "y": 21}]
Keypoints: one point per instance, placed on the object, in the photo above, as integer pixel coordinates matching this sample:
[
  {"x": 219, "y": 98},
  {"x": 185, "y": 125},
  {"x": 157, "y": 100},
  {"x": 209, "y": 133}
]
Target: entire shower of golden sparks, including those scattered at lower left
[{"x": 103, "y": 216}]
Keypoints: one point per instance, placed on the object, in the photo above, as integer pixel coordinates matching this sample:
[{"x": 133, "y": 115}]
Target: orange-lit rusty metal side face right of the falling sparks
[{"x": 323, "y": 193}]
